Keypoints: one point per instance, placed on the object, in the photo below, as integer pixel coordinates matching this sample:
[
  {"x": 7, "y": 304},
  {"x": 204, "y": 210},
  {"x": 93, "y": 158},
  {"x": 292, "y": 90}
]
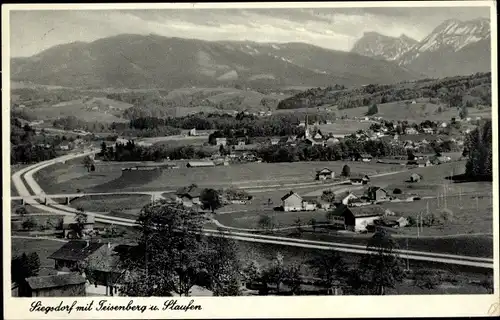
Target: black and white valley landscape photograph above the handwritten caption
[{"x": 250, "y": 151}]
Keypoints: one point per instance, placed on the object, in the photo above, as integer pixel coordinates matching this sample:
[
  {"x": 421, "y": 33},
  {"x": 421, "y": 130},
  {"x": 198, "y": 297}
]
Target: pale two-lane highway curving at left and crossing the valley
[{"x": 342, "y": 247}]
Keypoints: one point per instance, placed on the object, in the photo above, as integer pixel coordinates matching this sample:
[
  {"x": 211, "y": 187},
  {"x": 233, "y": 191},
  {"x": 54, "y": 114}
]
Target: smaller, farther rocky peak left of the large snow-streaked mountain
[{"x": 379, "y": 46}]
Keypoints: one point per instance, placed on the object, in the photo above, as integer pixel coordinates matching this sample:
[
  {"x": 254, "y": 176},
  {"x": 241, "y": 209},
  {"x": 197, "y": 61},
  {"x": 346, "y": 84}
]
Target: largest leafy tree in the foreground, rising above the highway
[{"x": 169, "y": 255}]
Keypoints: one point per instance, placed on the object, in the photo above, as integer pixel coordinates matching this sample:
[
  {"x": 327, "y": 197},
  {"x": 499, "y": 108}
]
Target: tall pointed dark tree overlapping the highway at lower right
[{"x": 382, "y": 268}]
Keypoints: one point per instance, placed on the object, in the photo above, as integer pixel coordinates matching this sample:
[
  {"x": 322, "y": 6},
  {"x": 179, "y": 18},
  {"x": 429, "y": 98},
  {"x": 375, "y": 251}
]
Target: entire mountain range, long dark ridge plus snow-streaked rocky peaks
[{"x": 153, "y": 61}]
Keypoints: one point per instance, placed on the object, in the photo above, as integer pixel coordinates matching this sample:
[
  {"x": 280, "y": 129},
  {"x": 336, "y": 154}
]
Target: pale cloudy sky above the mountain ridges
[{"x": 334, "y": 28}]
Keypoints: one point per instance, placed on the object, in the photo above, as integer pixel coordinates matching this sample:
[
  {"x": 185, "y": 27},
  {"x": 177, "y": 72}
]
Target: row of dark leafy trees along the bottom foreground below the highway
[{"x": 171, "y": 257}]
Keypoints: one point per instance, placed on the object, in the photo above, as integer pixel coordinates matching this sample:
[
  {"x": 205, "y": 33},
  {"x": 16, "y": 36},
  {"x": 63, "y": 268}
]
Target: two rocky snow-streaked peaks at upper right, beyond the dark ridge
[{"x": 453, "y": 48}]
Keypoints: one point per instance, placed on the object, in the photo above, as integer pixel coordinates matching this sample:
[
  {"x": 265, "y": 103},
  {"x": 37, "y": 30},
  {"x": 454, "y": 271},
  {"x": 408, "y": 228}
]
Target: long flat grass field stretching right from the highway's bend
[{"x": 108, "y": 176}]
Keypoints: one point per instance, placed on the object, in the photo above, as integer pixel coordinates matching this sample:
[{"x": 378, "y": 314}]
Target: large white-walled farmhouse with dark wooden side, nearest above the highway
[{"x": 356, "y": 218}]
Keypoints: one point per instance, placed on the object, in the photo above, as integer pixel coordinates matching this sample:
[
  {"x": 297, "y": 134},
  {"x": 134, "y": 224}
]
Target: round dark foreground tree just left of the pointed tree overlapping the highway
[{"x": 331, "y": 268}]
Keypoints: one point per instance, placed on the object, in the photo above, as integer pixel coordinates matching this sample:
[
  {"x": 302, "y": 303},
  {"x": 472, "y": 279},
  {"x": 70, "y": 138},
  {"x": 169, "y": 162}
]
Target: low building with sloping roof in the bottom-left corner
[{"x": 61, "y": 285}]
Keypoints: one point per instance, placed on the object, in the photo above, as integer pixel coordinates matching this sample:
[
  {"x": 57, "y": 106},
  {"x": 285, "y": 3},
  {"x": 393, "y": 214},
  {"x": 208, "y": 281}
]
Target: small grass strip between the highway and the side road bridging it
[{"x": 111, "y": 203}]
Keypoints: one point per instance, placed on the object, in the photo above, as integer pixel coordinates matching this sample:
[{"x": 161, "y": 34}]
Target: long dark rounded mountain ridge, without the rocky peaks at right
[{"x": 145, "y": 61}]
